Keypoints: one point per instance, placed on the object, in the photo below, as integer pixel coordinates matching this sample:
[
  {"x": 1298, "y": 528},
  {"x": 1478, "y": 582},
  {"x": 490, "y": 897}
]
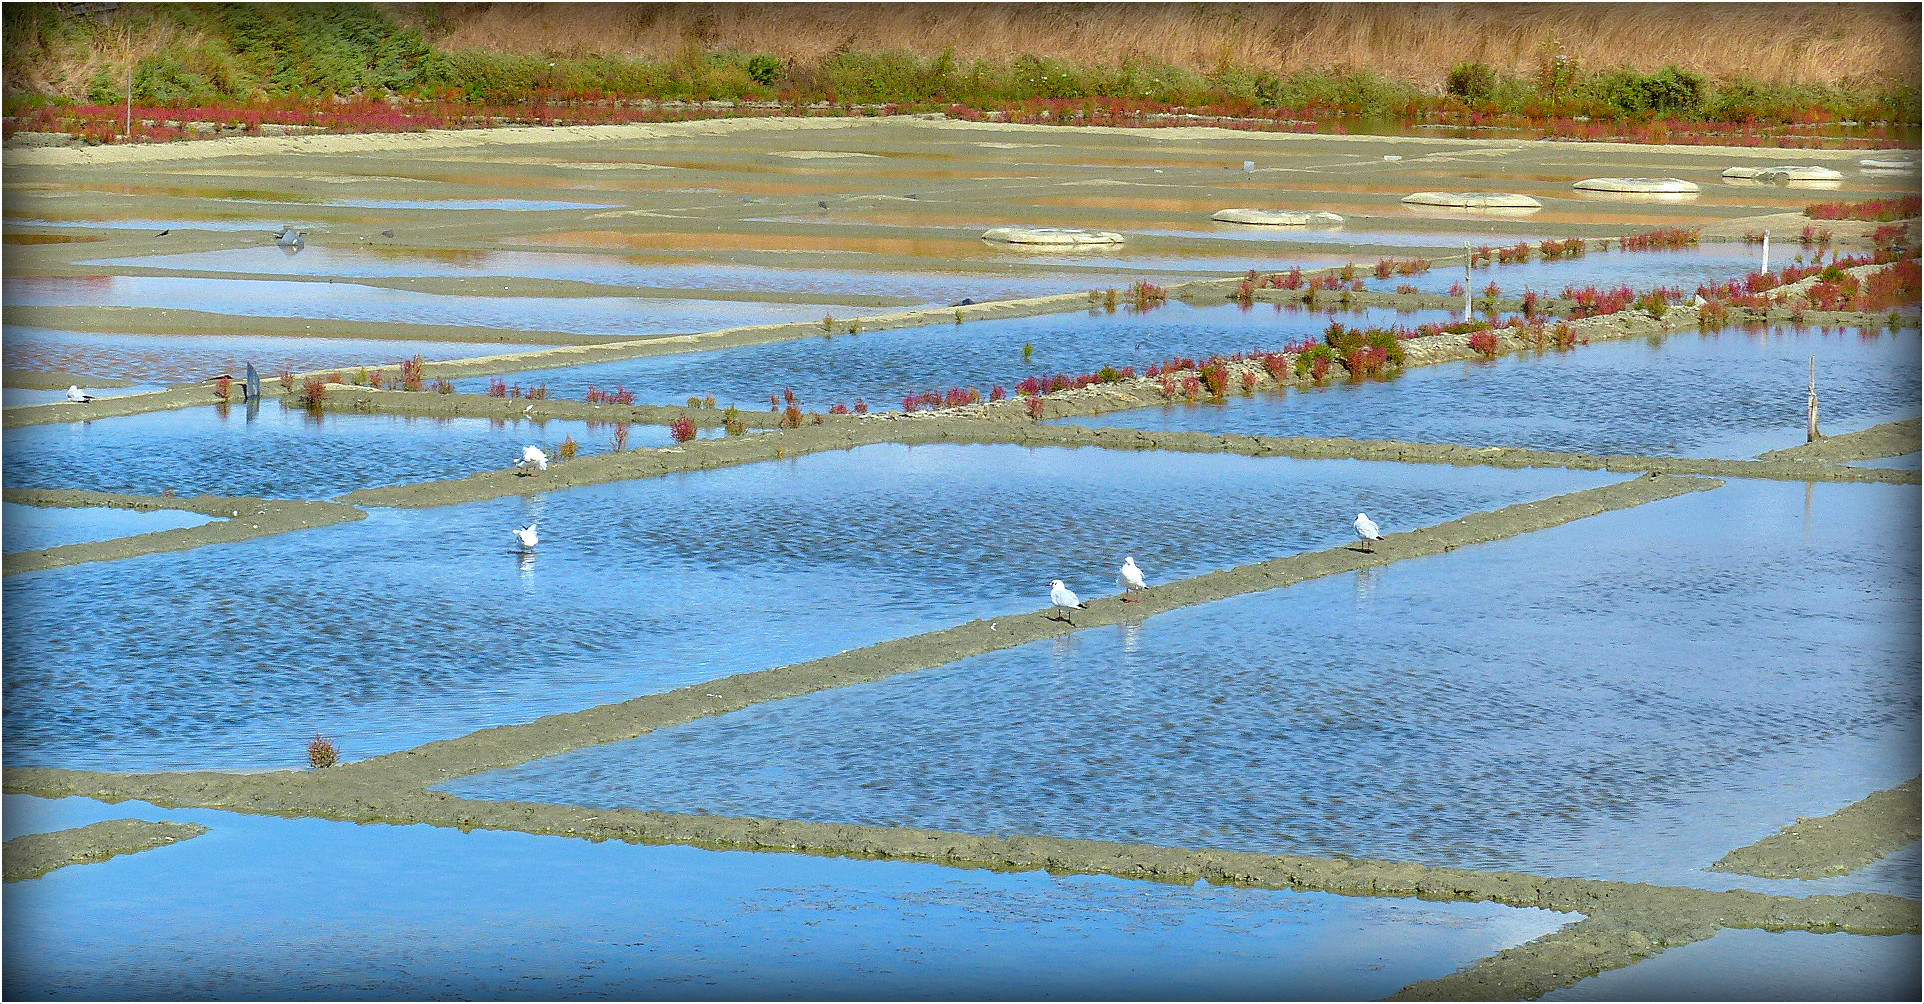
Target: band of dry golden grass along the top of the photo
[{"x": 1775, "y": 43}]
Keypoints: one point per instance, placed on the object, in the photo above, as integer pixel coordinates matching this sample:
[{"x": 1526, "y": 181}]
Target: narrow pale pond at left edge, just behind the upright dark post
[{"x": 180, "y": 359}]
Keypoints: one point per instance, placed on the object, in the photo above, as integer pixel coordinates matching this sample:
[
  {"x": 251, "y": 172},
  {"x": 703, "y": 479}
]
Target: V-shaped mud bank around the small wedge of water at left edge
[{"x": 241, "y": 518}]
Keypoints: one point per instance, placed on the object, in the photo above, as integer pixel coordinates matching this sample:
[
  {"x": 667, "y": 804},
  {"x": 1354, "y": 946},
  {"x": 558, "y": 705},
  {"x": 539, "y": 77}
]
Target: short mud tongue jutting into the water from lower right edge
[{"x": 1835, "y": 845}]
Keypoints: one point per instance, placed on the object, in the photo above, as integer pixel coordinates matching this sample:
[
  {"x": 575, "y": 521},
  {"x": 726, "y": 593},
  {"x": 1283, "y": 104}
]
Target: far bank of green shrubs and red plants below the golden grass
[{"x": 357, "y": 68}]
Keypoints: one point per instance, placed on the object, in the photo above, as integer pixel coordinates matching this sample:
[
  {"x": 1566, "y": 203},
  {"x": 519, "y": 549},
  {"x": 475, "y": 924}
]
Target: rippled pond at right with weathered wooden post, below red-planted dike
[{"x": 1729, "y": 395}]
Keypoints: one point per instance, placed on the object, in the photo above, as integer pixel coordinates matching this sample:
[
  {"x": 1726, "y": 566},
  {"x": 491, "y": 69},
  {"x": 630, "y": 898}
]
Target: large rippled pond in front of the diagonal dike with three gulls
[{"x": 1627, "y": 697}]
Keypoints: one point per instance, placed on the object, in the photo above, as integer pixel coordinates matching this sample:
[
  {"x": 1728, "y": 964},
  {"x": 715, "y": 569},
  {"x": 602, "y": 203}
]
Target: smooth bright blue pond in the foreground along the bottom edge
[{"x": 320, "y": 911}]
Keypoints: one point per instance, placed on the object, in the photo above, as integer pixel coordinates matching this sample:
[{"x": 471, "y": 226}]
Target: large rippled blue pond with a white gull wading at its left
[{"x": 426, "y": 624}]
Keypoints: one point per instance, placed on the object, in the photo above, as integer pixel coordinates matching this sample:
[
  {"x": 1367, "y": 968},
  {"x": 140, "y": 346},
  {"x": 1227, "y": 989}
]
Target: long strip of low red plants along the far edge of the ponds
[{"x": 163, "y": 122}]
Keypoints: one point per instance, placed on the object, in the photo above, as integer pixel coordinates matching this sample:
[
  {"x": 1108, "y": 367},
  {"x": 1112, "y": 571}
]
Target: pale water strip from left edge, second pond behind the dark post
[{"x": 355, "y": 303}]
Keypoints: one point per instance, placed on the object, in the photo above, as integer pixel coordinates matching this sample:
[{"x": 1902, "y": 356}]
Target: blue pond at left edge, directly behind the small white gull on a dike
[{"x": 280, "y": 451}]
